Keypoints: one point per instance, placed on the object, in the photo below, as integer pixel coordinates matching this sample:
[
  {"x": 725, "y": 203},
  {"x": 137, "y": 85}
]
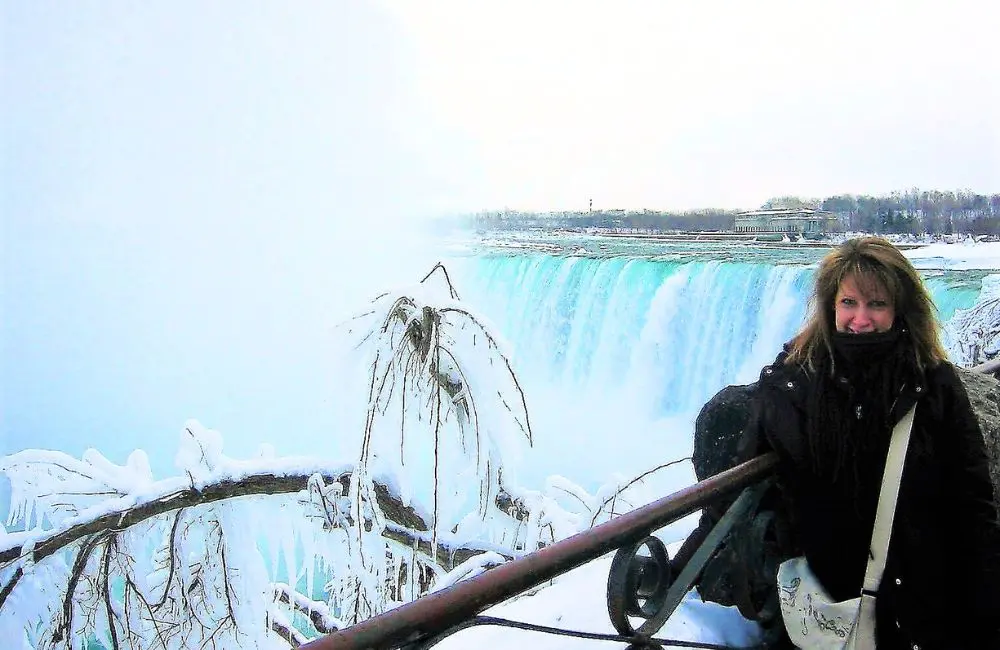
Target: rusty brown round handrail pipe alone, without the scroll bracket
[{"x": 437, "y": 612}]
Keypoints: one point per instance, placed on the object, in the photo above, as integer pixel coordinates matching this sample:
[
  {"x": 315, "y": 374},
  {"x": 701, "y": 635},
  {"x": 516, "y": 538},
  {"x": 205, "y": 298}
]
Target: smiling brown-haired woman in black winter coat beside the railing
[{"x": 827, "y": 405}]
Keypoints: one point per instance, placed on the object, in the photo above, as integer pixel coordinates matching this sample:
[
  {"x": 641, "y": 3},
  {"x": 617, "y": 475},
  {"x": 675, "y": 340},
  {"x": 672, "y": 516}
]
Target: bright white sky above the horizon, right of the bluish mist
[{"x": 690, "y": 104}]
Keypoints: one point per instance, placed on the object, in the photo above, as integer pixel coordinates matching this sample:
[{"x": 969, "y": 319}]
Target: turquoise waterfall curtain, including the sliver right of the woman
[{"x": 624, "y": 350}]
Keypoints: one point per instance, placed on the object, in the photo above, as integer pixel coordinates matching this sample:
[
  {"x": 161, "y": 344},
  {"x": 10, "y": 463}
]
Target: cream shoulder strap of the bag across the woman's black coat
[{"x": 887, "y": 502}]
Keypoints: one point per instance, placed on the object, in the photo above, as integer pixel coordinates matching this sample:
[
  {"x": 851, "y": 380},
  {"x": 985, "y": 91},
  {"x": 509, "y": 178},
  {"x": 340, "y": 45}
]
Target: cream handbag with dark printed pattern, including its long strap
[{"x": 812, "y": 619}]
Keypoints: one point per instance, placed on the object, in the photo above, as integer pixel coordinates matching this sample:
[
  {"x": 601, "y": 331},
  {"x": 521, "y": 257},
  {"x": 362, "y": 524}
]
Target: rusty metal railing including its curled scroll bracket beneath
[{"x": 638, "y": 585}]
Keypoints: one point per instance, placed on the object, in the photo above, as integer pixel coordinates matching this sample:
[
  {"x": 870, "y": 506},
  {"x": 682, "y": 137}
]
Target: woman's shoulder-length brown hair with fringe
[{"x": 874, "y": 263}]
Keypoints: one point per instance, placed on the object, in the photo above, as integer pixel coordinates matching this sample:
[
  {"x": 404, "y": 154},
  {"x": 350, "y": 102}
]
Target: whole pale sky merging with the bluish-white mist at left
[{"x": 188, "y": 190}]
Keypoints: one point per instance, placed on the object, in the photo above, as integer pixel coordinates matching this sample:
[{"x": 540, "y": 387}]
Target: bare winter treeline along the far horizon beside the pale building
[{"x": 914, "y": 212}]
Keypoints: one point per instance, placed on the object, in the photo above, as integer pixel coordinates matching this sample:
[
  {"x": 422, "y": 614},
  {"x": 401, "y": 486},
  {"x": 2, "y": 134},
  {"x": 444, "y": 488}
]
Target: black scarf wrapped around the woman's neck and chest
[{"x": 850, "y": 410}]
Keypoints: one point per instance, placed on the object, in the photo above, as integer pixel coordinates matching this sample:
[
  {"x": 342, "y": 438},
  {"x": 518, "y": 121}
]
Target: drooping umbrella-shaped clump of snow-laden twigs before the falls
[{"x": 454, "y": 387}]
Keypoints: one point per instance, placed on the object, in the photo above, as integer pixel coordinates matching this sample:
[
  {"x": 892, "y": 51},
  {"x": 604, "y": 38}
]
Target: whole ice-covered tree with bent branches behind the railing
[{"x": 269, "y": 551}]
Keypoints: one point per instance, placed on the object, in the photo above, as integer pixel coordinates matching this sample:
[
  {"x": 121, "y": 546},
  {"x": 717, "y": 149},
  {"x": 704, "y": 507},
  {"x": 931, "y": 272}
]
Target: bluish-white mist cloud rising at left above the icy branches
[{"x": 191, "y": 195}]
